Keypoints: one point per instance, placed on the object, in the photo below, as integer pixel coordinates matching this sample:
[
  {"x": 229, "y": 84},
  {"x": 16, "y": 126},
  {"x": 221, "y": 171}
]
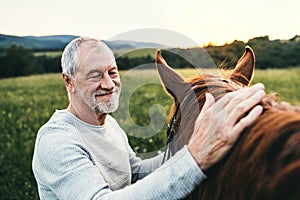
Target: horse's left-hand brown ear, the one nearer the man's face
[{"x": 173, "y": 83}]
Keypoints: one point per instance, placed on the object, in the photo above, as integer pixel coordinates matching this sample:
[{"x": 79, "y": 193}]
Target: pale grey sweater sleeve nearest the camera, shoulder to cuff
[{"x": 65, "y": 169}]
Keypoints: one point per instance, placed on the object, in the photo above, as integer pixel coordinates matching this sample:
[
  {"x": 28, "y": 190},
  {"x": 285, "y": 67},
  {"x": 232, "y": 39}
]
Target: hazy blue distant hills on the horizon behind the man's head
[{"x": 58, "y": 42}]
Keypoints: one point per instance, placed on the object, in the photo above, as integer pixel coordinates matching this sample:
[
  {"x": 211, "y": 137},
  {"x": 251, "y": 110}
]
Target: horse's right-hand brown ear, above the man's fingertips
[{"x": 243, "y": 72}]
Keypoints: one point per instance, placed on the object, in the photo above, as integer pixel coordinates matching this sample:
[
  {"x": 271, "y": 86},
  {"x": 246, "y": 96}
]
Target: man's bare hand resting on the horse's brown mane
[{"x": 218, "y": 126}]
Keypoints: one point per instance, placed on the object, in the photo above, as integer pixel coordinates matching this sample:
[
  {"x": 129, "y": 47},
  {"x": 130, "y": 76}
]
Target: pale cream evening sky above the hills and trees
[{"x": 203, "y": 22}]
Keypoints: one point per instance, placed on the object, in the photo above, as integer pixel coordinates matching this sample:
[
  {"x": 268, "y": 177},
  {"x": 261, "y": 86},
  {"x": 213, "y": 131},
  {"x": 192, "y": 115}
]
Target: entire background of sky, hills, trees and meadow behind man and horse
[{"x": 192, "y": 34}]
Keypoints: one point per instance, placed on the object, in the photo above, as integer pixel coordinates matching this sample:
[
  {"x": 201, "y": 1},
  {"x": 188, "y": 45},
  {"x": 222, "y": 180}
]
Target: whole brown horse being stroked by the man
[{"x": 265, "y": 161}]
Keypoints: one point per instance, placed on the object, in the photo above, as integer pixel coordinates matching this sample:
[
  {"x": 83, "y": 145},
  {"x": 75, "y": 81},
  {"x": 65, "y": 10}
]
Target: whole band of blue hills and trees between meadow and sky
[{"x": 269, "y": 53}]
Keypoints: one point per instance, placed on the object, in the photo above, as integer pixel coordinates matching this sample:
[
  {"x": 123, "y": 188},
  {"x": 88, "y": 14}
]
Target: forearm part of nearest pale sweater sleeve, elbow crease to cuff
[{"x": 173, "y": 180}]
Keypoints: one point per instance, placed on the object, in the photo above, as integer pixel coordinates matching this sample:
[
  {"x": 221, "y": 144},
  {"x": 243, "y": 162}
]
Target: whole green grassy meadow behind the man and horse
[{"x": 28, "y": 102}]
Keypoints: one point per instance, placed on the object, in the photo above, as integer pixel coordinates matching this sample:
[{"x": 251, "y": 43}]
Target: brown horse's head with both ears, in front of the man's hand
[{"x": 189, "y": 95}]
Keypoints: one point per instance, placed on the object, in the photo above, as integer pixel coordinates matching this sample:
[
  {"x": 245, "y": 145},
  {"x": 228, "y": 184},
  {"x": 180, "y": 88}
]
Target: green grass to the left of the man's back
[{"x": 26, "y": 103}]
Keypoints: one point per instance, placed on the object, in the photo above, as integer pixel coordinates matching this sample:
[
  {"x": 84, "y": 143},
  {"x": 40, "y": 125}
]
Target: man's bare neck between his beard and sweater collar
[{"x": 91, "y": 117}]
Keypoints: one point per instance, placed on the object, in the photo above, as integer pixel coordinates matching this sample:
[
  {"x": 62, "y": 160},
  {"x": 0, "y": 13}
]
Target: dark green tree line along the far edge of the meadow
[{"x": 19, "y": 61}]
